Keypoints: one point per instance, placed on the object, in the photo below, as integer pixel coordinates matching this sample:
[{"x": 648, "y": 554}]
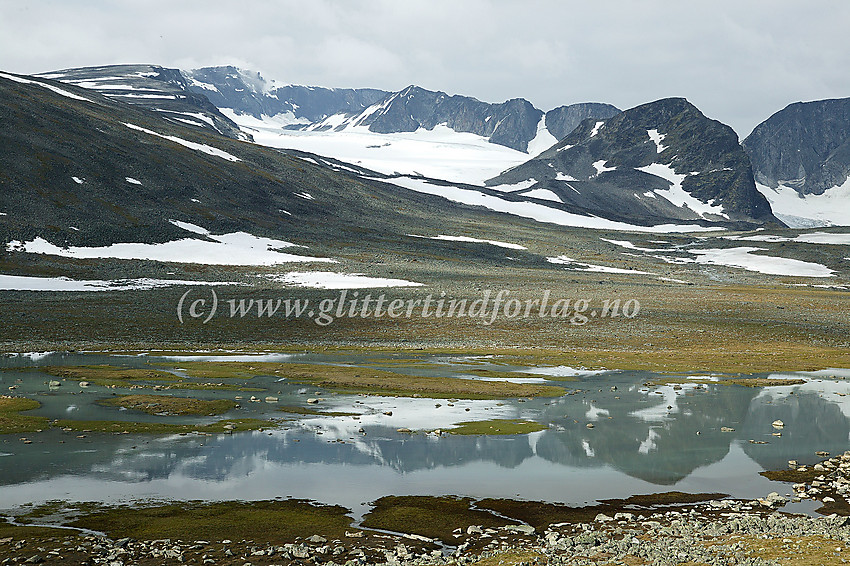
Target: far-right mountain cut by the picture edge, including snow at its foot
[{"x": 801, "y": 162}]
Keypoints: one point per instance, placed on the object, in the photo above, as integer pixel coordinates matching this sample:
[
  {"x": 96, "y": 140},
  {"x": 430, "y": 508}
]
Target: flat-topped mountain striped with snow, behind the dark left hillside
[{"x": 153, "y": 87}]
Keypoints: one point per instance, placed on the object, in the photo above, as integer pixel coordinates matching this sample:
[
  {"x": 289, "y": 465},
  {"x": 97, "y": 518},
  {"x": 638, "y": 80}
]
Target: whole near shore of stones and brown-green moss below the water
[{"x": 663, "y": 529}]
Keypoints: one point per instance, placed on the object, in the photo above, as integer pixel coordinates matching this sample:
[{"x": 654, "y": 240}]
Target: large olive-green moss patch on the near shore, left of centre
[{"x": 264, "y": 522}]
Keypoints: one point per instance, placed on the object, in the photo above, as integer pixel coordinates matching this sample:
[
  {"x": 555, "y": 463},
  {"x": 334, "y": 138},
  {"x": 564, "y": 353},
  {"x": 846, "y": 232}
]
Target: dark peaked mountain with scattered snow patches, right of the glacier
[{"x": 659, "y": 162}]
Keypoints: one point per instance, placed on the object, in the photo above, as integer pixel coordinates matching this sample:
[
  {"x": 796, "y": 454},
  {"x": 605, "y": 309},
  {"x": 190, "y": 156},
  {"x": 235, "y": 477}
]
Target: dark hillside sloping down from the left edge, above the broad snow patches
[{"x": 81, "y": 169}]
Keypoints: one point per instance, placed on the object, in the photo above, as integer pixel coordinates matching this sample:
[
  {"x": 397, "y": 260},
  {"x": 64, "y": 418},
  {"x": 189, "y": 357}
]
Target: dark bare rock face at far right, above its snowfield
[{"x": 805, "y": 146}]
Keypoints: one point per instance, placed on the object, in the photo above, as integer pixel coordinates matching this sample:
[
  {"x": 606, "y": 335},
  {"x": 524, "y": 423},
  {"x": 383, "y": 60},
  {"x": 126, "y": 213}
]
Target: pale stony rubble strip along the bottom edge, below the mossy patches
[{"x": 712, "y": 535}]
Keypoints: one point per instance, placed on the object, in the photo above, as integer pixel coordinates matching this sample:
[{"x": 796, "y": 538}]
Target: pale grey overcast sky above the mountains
[{"x": 738, "y": 61}]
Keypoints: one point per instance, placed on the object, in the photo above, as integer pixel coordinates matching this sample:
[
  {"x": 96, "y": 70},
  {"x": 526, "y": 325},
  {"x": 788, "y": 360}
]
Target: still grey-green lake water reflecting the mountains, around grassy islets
[{"x": 645, "y": 439}]
